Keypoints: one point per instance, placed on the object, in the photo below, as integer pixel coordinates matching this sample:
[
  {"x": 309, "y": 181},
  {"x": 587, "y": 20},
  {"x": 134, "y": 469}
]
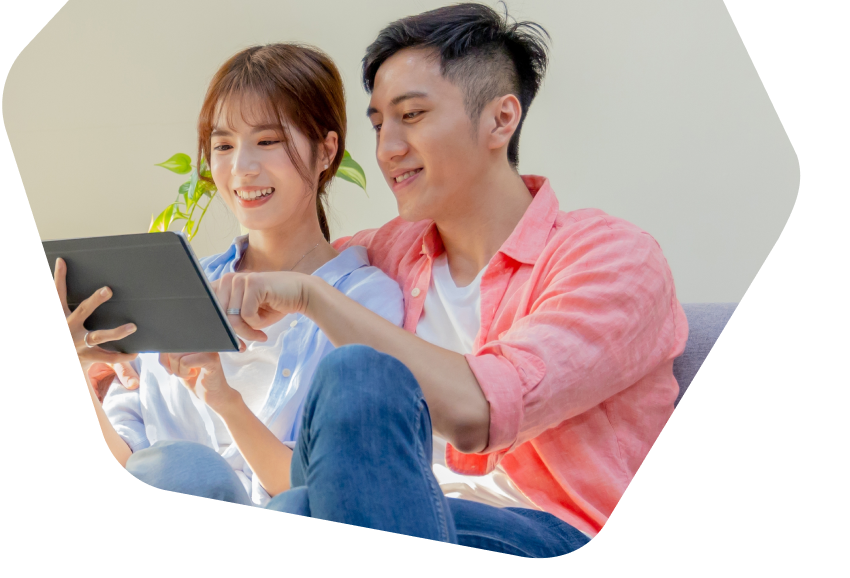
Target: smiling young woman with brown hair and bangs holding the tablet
[{"x": 272, "y": 127}]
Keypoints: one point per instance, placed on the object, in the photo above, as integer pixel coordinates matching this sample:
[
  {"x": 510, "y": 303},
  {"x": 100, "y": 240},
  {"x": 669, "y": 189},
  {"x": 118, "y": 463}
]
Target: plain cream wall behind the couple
[{"x": 651, "y": 111}]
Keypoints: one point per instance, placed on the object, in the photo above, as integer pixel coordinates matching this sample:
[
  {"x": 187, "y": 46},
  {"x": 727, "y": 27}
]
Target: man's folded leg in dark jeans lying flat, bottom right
[{"x": 515, "y": 531}]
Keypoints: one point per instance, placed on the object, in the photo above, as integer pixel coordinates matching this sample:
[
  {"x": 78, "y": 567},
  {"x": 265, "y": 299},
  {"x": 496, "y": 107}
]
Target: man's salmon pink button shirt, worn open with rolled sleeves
[{"x": 579, "y": 329}]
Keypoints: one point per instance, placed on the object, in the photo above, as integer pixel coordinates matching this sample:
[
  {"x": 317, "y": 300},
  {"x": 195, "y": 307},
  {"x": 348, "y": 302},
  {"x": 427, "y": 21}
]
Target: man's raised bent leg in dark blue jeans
[{"x": 363, "y": 455}]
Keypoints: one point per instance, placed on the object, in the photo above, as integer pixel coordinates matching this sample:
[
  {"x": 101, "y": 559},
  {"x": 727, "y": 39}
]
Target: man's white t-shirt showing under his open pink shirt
[{"x": 451, "y": 319}]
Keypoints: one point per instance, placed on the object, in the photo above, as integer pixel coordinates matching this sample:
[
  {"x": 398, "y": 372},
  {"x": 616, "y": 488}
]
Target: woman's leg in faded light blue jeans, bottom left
[{"x": 188, "y": 468}]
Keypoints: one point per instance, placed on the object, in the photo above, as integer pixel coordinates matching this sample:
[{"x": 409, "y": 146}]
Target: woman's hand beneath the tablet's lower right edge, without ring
[{"x": 202, "y": 374}]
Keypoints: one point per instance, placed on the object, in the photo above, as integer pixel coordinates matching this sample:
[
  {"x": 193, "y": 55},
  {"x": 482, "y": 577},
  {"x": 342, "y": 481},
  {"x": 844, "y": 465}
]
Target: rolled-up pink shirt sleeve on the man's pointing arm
[{"x": 602, "y": 314}]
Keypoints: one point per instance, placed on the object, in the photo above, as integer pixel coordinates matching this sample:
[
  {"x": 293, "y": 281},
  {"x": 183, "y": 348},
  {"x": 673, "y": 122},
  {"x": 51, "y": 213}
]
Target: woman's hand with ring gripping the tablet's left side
[{"x": 85, "y": 342}]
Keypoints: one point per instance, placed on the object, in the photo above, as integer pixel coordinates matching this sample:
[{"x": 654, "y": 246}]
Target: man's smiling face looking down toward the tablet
[{"x": 425, "y": 145}]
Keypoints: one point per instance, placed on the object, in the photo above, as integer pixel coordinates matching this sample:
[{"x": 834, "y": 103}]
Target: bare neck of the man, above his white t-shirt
[{"x": 482, "y": 221}]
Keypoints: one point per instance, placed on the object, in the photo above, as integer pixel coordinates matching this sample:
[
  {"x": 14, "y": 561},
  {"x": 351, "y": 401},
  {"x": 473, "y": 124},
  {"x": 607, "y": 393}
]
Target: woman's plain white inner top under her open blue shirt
[{"x": 251, "y": 373}]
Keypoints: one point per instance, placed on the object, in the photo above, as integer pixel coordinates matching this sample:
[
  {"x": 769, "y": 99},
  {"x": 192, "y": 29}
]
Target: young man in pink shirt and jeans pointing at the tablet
[{"x": 539, "y": 344}]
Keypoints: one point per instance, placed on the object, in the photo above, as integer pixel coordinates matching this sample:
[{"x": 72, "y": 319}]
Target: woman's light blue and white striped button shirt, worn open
[{"x": 162, "y": 408}]
